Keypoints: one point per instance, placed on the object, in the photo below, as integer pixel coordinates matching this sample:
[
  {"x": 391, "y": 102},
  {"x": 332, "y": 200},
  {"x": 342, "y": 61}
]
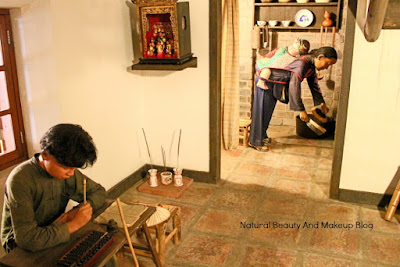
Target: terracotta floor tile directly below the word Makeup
[{"x": 336, "y": 240}]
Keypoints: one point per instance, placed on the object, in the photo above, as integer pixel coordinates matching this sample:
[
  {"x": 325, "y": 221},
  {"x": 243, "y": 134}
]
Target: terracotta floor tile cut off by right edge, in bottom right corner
[{"x": 384, "y": 248}]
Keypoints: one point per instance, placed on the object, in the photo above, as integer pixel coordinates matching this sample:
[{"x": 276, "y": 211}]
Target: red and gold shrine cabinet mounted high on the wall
[{"x": 164, "y": 33}]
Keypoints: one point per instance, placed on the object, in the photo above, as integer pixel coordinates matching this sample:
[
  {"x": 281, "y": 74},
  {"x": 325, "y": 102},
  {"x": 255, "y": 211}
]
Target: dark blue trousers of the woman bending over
[{"x": 263, "y": 107}]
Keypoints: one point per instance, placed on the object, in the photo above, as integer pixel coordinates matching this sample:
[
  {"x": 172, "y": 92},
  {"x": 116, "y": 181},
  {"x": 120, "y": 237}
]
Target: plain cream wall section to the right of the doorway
[{"x": 372, "y": 144}]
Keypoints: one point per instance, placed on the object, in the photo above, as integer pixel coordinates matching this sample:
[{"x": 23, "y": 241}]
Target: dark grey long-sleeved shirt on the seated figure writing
[{"x": 33, "y": 200}]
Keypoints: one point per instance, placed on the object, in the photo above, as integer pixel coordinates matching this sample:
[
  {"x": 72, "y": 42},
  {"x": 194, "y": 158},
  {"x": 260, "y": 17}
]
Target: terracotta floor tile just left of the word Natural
[{"x": 221, "y": 222}]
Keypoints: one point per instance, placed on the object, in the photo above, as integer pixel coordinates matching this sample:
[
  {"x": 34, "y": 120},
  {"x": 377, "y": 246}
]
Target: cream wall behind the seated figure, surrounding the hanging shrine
[{"x": 88, "y": 44}]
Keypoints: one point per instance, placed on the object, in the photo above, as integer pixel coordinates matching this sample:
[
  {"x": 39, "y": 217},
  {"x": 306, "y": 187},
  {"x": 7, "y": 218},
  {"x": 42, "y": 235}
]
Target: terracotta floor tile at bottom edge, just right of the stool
[{"x": 205, "y": 250}]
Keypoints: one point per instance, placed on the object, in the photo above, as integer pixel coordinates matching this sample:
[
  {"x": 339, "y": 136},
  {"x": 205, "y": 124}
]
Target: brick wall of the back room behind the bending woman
[{"x": 330, "y": 85}]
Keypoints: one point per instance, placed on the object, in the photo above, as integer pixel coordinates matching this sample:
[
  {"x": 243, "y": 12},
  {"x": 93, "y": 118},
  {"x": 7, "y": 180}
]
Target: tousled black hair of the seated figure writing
[{"x": 70, "y": 145}]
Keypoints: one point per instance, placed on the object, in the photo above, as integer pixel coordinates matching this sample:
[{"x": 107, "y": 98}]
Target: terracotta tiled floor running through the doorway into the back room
[{"x": 284, "y": 188}]
